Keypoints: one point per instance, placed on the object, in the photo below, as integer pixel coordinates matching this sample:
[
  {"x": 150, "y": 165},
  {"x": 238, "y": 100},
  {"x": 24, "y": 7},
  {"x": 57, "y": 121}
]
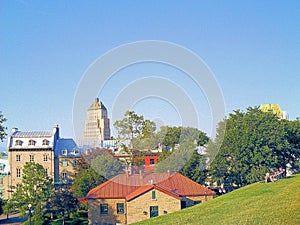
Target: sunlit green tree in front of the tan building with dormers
[{"x": 35, "y": 189}]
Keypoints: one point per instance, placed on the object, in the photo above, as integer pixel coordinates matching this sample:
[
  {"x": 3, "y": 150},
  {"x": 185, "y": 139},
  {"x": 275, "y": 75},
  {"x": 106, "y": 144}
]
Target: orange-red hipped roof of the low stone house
[{"x": 132, "y": 186}]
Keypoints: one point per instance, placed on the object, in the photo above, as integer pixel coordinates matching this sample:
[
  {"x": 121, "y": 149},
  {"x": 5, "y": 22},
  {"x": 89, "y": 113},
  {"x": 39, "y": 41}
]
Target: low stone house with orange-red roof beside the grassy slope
[{"x": 126, "y": 198}]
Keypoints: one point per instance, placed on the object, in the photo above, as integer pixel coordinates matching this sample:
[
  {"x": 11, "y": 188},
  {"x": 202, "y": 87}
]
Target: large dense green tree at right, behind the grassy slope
[{"x": 252, "y": 146}]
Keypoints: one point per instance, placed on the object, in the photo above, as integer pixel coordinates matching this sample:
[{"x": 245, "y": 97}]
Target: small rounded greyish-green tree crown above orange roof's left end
[{"x": 107, "y": 166}]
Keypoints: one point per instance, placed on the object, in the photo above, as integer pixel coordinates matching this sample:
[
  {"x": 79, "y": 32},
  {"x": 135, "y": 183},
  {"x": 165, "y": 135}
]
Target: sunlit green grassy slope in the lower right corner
[{"x": 259, "y": 203}]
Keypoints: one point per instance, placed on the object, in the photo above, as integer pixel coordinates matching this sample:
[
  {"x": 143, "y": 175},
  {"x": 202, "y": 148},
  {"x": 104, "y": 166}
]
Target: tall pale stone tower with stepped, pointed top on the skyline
[{"x": 97, "y": 126}]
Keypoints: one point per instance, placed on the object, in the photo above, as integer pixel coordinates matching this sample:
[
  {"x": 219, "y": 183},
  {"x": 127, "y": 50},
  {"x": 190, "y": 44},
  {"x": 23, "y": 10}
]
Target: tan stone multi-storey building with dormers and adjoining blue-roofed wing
[{"x": 43, "y": 147}]
